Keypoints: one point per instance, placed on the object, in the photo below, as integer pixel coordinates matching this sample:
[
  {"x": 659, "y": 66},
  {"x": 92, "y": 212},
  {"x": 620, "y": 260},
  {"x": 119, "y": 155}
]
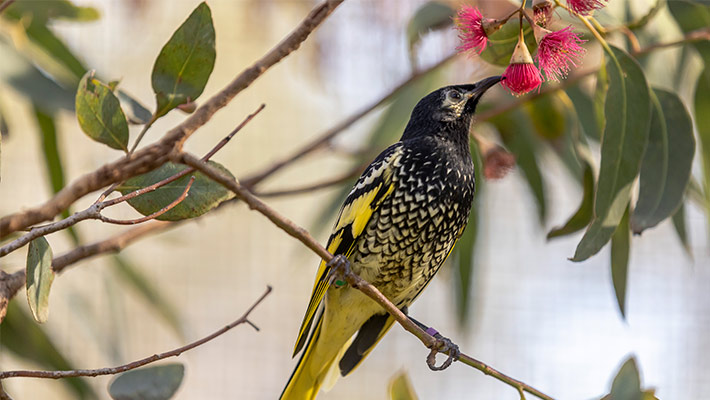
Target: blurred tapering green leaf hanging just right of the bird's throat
[{"x": 514, "y": 129}]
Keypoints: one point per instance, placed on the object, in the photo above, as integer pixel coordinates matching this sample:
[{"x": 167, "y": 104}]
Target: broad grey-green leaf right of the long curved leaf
[{"x": 666, "y": 165}]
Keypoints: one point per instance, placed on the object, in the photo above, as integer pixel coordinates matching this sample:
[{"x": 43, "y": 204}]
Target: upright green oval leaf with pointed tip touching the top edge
[{"x": 186, "y": 61}]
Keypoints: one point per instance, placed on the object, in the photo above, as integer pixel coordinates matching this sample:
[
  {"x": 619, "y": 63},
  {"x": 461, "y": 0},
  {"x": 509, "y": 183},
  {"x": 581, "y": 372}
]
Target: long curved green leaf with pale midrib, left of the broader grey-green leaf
[{"x": 627, "y": 111}]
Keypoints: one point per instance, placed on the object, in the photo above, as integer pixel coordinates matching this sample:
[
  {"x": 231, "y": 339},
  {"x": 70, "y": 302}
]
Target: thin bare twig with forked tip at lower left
[{"x": 139, "y": 363}]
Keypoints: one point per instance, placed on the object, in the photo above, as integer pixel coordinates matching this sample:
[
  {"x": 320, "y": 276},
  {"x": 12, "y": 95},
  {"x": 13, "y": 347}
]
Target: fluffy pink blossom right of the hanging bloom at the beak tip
[{"x": 557, "y": 50}]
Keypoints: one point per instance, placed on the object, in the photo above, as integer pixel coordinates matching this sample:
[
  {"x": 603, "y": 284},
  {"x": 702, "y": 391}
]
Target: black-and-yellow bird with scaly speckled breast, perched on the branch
[{"x": 396, "y": 228}]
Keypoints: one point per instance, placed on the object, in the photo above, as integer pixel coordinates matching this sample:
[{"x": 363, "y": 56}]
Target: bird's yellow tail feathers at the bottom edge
[{"x": 316, "y": 367}]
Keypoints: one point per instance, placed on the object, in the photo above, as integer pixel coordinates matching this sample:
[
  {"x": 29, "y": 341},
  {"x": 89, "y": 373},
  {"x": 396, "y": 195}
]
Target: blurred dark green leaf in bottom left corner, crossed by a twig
[{"x": 28, "y": 340}]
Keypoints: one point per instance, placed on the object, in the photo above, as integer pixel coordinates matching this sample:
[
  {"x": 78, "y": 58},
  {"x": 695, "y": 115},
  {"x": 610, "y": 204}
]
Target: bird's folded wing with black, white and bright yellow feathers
[{"x": 369, "y": 192}]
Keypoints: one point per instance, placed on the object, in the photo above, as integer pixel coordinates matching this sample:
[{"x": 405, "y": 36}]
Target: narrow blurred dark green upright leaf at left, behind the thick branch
[{"x": 53, "y": 160}]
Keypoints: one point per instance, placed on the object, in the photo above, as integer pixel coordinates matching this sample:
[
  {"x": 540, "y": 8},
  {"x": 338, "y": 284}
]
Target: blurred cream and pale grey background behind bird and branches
[{"x": 530, "y": 312}]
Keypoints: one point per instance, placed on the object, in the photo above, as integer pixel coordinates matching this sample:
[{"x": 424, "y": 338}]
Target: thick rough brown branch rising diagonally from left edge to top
[{"x": 155, "y": 155}]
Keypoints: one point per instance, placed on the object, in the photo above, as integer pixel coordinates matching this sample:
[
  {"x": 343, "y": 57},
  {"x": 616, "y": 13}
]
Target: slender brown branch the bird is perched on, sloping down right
[{"x": 354, "y": 280}]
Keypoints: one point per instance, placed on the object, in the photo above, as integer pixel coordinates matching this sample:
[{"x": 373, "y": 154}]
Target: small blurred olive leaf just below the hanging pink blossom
[{"x": 547, "y": 115}]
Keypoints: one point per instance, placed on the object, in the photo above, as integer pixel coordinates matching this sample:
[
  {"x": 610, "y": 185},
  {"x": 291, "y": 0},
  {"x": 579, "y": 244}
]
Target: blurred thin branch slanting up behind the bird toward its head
[{"x": 323, "y": 139}]
